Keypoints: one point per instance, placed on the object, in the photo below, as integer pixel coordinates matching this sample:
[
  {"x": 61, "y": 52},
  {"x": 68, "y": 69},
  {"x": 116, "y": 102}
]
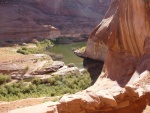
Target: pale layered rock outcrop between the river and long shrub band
[{"x": 36, "y": 66}]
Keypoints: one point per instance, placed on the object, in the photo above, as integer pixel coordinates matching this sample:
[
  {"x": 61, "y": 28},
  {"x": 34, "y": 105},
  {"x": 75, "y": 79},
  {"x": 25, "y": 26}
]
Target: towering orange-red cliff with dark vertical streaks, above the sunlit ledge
[{"x": 124, "y": 36}]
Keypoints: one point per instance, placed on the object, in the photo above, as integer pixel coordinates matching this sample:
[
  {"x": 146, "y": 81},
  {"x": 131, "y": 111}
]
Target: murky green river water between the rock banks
[{"x": 67, "y": 51}]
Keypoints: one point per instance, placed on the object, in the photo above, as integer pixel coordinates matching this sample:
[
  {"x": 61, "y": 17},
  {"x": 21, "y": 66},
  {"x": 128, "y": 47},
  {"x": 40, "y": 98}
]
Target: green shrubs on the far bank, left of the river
[{"x": 41, "y": 47}]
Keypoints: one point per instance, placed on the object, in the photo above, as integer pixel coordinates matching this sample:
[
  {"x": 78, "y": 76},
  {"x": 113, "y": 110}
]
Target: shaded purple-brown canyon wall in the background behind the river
[{"x": 24, "y": 20}]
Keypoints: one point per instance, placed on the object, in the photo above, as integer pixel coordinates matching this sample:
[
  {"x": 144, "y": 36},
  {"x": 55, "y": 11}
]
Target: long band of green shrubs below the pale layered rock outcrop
[{"x": 55, "y": 86}]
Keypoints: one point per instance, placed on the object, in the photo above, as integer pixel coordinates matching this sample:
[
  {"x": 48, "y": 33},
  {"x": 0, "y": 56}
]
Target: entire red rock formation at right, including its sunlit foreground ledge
[{"x": 121, "y": 40}]
